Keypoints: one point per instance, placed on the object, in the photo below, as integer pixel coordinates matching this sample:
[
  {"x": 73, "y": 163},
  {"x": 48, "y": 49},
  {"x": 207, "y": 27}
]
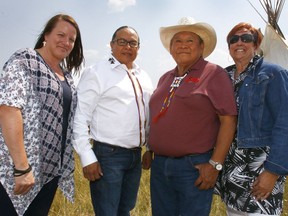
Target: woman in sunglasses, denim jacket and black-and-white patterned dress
[{"x": 253, "y": 179}]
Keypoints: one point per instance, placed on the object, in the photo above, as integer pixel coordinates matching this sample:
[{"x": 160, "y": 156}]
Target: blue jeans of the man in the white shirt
[{"x": 115, "y": 193}]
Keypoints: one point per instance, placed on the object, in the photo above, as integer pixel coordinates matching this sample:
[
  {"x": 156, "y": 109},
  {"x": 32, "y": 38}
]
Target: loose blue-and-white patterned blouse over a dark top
[{"x": 28, "y": 83}]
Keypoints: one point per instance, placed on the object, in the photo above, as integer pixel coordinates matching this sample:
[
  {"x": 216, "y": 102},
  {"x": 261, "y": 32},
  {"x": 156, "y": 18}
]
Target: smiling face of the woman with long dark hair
[{"x": 60, "y": 41}]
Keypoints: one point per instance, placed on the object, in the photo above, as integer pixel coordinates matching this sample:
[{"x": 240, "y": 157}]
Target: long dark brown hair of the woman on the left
[{"x": 76, "y": 57}]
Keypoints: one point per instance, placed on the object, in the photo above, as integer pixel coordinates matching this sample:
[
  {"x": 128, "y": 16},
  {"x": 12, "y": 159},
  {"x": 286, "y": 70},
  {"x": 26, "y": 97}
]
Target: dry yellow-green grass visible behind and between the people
[{"x": 83, "y": 206}]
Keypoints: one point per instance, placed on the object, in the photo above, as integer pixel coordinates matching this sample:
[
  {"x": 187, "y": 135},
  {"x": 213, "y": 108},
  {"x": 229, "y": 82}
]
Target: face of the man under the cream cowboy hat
[{"x": 186, "y": 48}]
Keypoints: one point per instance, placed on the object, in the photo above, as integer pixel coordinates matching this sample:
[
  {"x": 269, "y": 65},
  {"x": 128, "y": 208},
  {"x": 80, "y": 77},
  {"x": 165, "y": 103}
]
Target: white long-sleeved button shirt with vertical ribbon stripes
[{"x": 112, "y": 107}]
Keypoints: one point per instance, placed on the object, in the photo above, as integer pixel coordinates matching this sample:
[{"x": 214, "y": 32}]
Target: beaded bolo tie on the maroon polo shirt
[{"x": 166, "y": 103}]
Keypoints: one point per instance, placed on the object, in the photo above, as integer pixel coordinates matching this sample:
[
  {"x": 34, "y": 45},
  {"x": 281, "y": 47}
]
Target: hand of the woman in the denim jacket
[{"x": 263, "y": 185}]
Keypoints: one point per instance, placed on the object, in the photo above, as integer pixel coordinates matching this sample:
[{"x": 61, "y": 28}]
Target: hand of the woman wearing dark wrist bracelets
[{"x": 24, "y": 183}]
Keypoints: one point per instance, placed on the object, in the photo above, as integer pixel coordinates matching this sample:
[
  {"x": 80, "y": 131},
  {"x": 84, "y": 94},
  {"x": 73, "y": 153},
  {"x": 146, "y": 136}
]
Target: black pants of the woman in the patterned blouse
[{"x": 40, "y": 206}]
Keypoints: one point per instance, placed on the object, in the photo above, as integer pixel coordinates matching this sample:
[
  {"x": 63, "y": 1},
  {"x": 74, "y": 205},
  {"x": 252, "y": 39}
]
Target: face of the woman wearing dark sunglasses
[{"x": 240, "y": 51}]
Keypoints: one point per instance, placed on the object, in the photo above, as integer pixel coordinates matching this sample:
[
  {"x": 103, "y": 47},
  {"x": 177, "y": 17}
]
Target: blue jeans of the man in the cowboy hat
[{"x": 172, "y": 187}]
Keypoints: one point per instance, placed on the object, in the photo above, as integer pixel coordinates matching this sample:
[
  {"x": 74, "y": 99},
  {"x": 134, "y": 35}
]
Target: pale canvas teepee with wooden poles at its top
[{"x": 274, "y": 46}]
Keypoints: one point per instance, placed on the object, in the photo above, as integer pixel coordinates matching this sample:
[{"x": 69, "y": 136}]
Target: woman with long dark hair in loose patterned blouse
[{"x": 37, "y": 104}]
